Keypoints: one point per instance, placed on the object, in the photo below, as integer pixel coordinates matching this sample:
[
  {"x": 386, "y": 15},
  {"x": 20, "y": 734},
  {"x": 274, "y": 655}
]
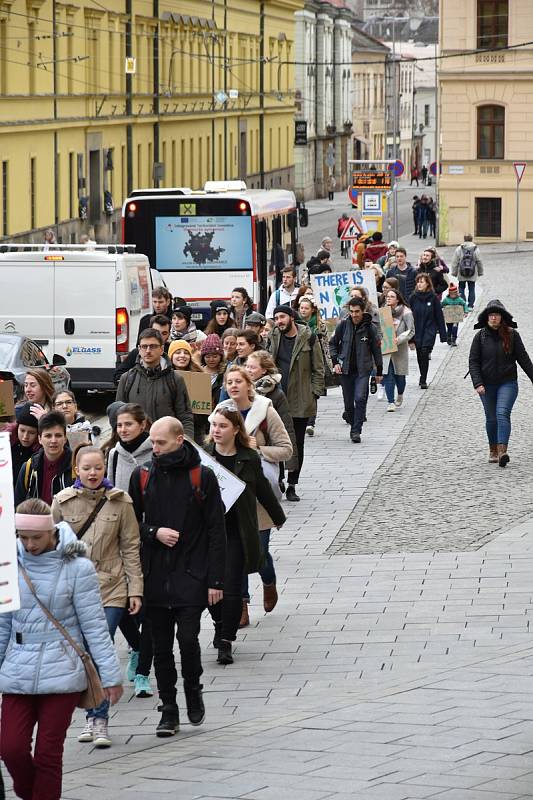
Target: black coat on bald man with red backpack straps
[{"x": 180, "y": 575}]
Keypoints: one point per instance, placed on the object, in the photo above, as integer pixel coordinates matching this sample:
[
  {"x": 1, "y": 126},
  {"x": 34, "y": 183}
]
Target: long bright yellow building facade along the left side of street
[{"x": 208, "y": 96}]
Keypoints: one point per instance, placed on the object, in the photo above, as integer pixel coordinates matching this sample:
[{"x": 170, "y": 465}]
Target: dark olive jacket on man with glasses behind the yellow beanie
[{"x": 161, "y": 392}]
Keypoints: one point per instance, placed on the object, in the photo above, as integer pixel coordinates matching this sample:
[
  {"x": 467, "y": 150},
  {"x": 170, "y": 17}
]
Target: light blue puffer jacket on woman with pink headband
[{"x": 34, "y": 656}]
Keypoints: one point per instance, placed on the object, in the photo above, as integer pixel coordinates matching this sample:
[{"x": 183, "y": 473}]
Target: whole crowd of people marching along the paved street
[{"x": 129, "y": 531}]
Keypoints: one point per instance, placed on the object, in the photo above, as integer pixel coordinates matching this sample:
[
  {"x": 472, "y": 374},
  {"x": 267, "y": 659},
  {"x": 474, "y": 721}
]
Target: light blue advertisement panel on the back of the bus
[{"x": 203, "y": 243}]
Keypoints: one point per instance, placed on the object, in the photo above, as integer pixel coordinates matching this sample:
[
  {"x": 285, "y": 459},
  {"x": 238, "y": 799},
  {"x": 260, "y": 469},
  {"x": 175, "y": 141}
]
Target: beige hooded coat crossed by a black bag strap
[{"x": 112, "y": 541}]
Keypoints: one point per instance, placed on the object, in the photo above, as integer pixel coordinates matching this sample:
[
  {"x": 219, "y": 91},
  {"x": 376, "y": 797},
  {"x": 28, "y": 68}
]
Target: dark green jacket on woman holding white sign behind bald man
[{"x": 248, "y": 469}]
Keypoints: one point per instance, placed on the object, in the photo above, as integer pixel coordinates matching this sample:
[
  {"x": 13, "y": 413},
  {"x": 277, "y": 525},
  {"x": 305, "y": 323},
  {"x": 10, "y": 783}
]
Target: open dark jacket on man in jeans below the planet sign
[{"x": 368, "y": 348}]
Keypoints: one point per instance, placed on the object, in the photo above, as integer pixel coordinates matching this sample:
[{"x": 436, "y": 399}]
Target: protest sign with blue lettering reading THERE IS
[{"x": 332, "y": 291}]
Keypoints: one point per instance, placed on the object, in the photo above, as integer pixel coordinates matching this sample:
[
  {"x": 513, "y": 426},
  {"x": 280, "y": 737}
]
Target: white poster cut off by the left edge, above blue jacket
[{"x": 9, "y": 586}]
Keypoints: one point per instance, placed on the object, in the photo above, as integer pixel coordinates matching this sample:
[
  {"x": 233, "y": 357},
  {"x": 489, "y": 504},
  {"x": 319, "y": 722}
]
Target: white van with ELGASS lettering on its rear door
[{"x": 81, "y": 302}]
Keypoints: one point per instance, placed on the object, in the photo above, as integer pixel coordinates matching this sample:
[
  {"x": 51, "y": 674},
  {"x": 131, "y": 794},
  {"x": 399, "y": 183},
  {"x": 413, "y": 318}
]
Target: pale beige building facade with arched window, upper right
[{"x": 486, "y": 119}]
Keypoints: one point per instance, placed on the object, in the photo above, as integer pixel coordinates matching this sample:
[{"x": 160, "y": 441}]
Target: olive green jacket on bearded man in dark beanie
[{"x": 306, "y": 373}]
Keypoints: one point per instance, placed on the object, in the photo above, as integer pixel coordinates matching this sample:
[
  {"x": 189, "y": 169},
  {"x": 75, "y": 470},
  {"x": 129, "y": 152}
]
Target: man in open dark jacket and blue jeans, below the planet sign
[{"x": 355, "y": 348}]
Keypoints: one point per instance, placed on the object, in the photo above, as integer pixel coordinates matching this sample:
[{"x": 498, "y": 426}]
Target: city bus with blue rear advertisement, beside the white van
[{"x": 205, "y": 243}]
